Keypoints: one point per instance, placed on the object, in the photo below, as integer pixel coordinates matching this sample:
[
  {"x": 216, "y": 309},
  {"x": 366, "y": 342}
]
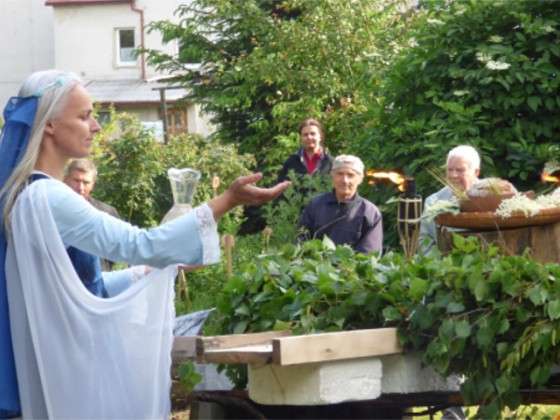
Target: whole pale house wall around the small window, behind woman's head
[{"x": 81, "y": 39}]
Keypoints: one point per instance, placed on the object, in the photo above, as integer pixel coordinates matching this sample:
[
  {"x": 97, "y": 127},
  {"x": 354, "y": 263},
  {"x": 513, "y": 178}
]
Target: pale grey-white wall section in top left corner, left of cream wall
[{"x": 26, "y": 43}]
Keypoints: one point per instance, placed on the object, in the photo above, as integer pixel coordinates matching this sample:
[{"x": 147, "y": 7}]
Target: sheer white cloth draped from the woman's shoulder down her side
[{"x": 77, "y": 355}]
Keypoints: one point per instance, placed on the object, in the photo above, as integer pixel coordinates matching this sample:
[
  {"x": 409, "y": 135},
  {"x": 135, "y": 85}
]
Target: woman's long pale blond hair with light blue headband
[{"x": 52, "y": 87}]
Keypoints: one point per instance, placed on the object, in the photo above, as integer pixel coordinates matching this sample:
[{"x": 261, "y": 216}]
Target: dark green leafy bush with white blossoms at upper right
[{"x": 478, "y": 72}]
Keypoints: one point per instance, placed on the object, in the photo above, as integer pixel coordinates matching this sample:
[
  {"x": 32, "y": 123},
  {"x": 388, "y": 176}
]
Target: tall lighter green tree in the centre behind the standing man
[{"x": 261, "y": 66}]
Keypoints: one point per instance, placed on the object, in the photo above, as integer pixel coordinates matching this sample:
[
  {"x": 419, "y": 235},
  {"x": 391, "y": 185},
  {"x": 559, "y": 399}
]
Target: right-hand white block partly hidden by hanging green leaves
[{"x": 404, "y": 374}]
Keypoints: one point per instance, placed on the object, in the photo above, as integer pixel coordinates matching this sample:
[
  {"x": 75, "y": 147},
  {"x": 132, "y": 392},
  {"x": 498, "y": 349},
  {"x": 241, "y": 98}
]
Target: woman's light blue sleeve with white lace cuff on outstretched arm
[{"x": 191, "y": 239}]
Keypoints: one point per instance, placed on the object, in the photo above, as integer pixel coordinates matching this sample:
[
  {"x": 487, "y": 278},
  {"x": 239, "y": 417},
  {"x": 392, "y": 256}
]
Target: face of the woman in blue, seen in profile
[{"x": 72, "y": 130}]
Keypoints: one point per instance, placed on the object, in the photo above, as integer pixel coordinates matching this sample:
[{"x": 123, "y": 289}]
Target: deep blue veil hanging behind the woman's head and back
[{"x": 19, "y": 115}]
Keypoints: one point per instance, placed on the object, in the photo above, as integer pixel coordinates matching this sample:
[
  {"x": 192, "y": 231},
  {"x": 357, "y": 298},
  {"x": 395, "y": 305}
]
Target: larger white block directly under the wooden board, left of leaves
[{"x": 316, "y": 383}]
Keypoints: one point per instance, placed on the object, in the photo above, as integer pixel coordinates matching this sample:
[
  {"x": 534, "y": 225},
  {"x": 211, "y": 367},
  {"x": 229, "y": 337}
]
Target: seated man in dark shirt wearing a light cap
[{"x": 342, "y": 215}]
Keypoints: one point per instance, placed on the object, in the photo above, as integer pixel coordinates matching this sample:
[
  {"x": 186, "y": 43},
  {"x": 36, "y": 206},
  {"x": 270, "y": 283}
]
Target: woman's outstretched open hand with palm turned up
[{"x": 243, "y": 192}]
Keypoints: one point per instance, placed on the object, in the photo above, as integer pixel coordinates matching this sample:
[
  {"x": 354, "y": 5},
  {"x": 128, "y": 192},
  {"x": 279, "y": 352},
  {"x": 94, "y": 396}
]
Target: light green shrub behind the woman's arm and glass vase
[{"x": 132, "y": 167}]
